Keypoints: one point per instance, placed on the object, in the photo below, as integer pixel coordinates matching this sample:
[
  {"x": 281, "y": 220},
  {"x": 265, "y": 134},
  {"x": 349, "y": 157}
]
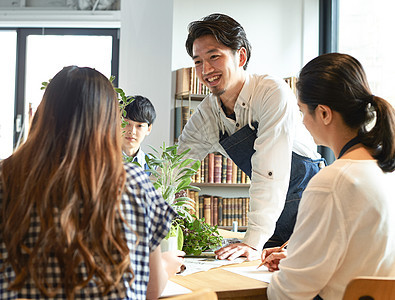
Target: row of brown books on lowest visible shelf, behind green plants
[{"x": 221, "y": 211}]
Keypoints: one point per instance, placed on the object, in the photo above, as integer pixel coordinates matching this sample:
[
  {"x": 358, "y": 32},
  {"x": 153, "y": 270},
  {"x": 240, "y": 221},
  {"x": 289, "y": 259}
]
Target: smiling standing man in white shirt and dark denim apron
[{"x": 254, "y": 120}]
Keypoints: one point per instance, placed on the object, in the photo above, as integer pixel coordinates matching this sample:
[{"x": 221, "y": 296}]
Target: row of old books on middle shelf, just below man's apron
[{"x": 216, "y": 168}]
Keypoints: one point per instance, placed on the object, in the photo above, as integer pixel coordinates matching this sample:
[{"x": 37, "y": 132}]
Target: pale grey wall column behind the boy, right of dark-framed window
[{"x": 145, "y": 59}]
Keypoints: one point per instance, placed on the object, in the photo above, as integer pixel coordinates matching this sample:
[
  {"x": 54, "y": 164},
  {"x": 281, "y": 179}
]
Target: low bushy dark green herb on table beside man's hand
[{"x": 199, "y": 236}]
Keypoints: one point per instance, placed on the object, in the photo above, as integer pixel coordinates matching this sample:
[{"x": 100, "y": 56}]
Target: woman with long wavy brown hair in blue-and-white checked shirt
[{"x": 75, "y": 222}]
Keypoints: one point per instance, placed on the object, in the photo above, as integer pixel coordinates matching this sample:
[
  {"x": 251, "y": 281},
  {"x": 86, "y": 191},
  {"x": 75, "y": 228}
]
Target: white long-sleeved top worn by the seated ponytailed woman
[{"x": 345, "y": 228}]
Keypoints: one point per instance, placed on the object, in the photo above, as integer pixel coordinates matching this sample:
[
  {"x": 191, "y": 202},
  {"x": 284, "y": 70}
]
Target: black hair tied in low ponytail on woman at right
[{"x": 339, "y": 82}]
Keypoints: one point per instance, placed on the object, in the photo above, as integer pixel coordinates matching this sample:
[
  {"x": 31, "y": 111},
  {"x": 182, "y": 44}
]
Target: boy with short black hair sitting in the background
[{"x": 140, "y": 115}]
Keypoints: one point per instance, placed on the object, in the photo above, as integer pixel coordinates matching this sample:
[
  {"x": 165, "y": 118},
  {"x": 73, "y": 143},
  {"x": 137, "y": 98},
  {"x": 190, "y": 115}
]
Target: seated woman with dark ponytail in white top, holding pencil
[{"x": 346, "y": 221}]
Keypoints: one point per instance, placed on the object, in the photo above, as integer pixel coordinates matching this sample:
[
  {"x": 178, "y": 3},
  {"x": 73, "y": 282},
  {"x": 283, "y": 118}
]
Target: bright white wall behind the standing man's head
[{"x": 283, "y": 33}]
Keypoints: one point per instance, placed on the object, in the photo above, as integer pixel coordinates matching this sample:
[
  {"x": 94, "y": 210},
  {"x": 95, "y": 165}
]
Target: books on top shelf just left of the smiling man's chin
[{"x": 188, "y": 82}]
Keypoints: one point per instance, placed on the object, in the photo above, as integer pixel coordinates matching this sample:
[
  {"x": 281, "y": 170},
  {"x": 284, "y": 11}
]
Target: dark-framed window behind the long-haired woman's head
[{"x": 38, "y": 54}]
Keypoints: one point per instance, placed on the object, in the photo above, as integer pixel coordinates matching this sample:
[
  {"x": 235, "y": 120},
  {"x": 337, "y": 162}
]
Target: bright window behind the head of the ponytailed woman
[{"x": 366, "y": 32}]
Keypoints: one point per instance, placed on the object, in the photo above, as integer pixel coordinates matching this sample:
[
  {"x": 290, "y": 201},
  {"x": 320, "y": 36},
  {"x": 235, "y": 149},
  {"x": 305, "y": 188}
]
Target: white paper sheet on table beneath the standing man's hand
[{"x": 194, "y": 265}]
